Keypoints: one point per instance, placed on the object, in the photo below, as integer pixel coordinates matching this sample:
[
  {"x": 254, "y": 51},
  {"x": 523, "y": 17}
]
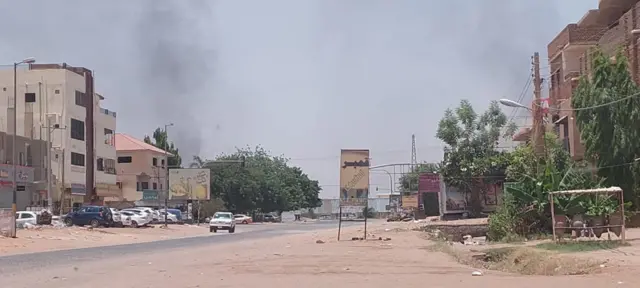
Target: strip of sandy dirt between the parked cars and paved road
[{"x": 51, "y": 238}]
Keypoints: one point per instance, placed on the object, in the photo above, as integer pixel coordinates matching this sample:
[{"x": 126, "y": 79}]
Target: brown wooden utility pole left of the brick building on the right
[{"x": 538, "y": 116}]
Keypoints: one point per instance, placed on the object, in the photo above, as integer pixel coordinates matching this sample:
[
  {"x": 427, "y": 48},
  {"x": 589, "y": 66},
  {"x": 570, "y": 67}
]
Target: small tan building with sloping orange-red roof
[{"x": 141, "y": 169}]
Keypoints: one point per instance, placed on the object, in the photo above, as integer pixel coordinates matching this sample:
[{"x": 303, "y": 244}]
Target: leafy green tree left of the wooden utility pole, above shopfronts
[{"x": 471, "y": 157}]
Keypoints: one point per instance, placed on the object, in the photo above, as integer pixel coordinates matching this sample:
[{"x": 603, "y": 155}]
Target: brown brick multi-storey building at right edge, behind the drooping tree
[{"x": 610, "y": 28}]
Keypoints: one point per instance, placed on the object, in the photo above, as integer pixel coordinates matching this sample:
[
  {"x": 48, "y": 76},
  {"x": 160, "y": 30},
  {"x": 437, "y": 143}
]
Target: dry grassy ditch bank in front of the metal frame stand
[{"x": 521, "y": 260}]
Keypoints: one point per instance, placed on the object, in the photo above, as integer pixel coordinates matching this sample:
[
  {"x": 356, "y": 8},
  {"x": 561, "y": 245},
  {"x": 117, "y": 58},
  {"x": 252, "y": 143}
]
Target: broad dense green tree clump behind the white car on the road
[{"x": 264, "y": 184}]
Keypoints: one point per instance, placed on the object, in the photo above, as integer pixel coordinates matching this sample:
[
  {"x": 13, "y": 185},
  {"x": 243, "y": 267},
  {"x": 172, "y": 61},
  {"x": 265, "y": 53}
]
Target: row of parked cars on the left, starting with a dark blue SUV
[{"x": 96, "y": 216}]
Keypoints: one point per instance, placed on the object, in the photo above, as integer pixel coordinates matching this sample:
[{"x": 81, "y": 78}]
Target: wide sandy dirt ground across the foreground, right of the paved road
[{"x": 297, "y": 260}]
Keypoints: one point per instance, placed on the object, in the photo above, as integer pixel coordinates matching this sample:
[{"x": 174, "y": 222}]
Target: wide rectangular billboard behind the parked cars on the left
[{"x": 189, "y": 183}]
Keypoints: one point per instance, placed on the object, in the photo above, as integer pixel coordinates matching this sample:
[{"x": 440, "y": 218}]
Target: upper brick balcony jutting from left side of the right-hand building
[{"x": 573, "y": 34}]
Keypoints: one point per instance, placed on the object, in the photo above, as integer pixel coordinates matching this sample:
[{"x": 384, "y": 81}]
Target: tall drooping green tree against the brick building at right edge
[{"x": 611, "y": 129}]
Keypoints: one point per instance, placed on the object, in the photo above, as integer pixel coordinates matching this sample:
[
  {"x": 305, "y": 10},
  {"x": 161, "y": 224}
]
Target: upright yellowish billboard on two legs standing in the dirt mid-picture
[{"x": 354, "y": 177}]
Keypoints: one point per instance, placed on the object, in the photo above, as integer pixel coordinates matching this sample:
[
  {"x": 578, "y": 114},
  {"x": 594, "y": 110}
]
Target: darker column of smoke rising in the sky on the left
[{"x": 175, "y": 66}]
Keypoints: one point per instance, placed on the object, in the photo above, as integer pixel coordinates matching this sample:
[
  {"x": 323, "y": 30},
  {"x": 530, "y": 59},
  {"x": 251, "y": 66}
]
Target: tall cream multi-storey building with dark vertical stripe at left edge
[{"x": 52, "y": 102}]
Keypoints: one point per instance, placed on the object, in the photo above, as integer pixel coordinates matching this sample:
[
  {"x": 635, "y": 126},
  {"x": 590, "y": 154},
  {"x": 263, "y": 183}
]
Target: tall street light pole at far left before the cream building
[{"x": 14, "y": 203}]
